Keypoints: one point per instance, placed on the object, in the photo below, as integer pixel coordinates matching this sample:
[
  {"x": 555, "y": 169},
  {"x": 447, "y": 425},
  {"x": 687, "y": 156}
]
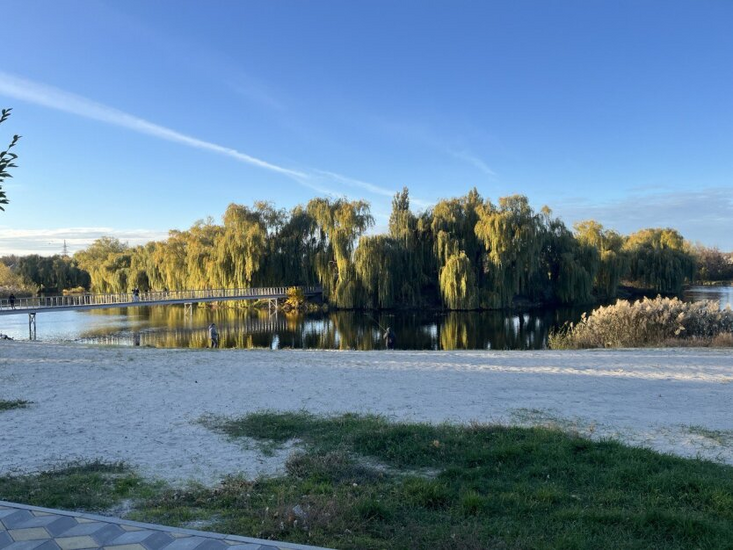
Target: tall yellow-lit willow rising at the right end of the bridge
[{"x": 339, "y": 224}]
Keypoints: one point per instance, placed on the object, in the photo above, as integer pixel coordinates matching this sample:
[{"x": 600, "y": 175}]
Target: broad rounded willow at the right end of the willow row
[{"x": 659, "y": 259}]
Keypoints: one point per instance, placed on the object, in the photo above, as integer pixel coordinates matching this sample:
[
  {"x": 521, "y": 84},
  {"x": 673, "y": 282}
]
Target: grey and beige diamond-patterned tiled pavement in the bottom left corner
[{"x": 31, "y": 528}]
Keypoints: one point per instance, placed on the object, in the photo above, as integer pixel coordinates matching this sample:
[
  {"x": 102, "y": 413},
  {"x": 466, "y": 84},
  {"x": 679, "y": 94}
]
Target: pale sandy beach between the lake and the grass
[{"x": 142, "y": 405}]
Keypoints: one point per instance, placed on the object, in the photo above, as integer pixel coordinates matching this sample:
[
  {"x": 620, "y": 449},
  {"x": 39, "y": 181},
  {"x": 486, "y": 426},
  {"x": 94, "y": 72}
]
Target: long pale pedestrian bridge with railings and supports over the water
[{"x": 78, "y": 302}]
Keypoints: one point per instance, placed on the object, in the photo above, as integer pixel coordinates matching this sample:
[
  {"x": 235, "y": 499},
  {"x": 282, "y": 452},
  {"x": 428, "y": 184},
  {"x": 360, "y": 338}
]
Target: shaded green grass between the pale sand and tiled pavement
[{"x": 362, "y": 482}]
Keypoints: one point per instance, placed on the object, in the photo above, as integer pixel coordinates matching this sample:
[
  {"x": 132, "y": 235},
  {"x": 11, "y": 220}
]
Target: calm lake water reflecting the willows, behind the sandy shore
[{"x": 168, "y": 327}]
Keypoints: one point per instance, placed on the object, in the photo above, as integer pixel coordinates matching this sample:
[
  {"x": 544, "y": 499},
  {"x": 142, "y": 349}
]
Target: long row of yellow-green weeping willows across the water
[{"x": 464, "y": 253}]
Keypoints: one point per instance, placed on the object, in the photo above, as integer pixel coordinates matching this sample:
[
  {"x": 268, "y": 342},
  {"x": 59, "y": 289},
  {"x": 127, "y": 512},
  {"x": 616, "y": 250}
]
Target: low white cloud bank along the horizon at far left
[{"x": 51, "y": 241}]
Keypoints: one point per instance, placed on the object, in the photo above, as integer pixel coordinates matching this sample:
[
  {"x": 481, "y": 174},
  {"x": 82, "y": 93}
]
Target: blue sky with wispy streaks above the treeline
[{"x": 138, "y": 117}]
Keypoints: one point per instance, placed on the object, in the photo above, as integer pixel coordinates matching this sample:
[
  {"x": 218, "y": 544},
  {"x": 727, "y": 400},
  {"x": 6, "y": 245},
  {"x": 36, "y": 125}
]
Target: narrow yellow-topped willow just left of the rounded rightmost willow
[{"x": 613, "y": 261}]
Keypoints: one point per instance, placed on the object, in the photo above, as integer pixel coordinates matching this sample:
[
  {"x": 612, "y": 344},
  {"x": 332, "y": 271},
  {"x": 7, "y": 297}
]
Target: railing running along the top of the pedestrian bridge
[{"x": 151, "y": 297}]
